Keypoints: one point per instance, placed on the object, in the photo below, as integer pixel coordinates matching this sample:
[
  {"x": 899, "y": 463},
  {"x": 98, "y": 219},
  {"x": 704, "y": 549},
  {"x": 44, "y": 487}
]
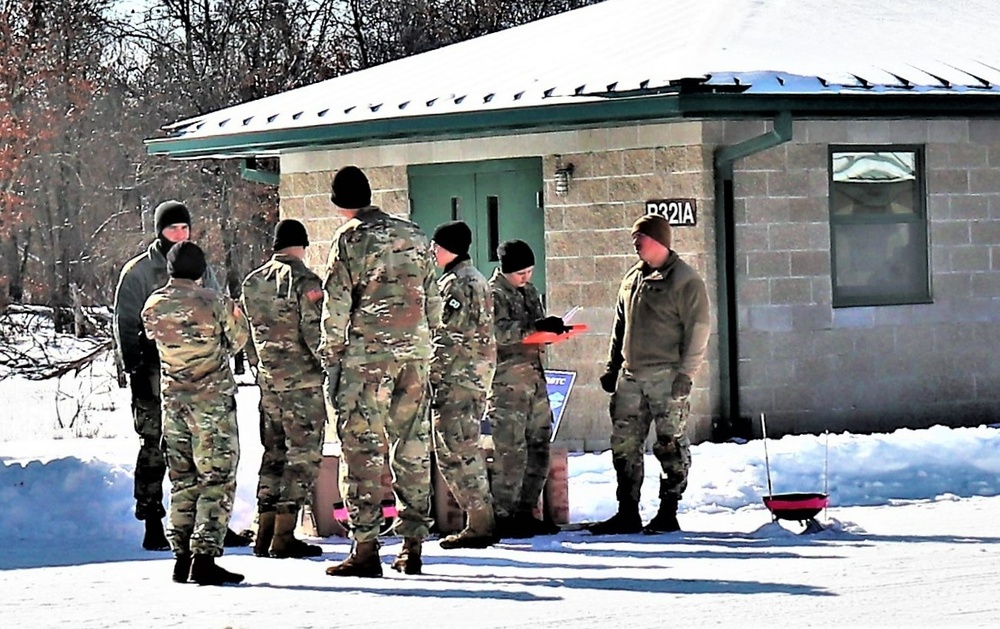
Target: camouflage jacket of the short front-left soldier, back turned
[{"x": 196, "y": 331}]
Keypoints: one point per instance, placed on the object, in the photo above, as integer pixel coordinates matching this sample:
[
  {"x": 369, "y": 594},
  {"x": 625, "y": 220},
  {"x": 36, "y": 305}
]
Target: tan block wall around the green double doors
[{"x": 588, "y": 244}]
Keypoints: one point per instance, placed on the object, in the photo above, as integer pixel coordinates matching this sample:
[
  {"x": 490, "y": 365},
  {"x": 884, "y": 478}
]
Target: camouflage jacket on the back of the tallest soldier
[{"x": 381, "y": 300}]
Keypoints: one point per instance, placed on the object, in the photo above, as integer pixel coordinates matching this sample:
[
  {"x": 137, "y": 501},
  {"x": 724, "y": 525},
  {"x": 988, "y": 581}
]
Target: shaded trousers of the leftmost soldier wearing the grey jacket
[{"x": 150, "y": 466}]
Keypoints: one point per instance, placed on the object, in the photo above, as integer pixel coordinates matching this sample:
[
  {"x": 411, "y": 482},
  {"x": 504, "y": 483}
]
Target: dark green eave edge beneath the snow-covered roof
[{"x": 565, "y": 116}]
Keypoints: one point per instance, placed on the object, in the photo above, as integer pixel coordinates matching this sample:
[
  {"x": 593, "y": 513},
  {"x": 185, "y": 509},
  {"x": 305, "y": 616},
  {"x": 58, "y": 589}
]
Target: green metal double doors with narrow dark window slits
[{"x": 500, "y": 200}]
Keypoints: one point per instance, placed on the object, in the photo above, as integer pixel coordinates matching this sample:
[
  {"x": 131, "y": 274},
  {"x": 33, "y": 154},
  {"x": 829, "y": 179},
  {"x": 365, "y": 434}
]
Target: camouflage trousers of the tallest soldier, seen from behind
[{"x": 382, "y": 408}]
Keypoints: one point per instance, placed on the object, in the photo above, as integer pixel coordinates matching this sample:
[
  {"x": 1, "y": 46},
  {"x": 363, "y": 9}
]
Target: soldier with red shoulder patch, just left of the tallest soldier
[{"x": 282, "y": 300}]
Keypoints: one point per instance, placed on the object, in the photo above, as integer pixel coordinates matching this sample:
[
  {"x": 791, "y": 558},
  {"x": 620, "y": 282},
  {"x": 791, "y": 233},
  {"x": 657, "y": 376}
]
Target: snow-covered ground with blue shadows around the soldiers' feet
[{"x": 912, "y": 540}]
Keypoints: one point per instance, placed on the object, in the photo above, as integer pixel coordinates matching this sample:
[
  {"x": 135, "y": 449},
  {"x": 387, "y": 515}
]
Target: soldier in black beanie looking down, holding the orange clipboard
[{"x": 518, "y": 406}]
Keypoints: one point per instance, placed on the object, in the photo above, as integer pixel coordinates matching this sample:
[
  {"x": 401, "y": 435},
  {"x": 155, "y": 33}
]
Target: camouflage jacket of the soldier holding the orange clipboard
[{"x": 515, "y": 311}]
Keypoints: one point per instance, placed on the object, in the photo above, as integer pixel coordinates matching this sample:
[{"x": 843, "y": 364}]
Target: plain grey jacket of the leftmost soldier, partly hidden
[{"x": 138, "y": 279}]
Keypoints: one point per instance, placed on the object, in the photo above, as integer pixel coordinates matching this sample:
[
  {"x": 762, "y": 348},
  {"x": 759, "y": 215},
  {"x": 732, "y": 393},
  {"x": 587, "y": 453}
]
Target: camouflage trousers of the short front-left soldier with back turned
[{"x": 203, "y": 450}]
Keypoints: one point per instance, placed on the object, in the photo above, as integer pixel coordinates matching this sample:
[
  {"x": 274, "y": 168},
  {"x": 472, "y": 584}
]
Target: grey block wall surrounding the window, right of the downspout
[{"x": 811, "y": 367}]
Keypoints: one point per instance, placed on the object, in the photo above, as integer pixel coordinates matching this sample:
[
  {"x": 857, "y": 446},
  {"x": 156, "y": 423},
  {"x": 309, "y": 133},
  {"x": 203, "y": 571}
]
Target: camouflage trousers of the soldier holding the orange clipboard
[{"x": 521, "y": 423}]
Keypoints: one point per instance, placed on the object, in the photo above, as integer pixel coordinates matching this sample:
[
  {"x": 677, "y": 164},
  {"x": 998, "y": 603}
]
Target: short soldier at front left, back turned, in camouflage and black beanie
[{"x": 196, "y": 331}]
